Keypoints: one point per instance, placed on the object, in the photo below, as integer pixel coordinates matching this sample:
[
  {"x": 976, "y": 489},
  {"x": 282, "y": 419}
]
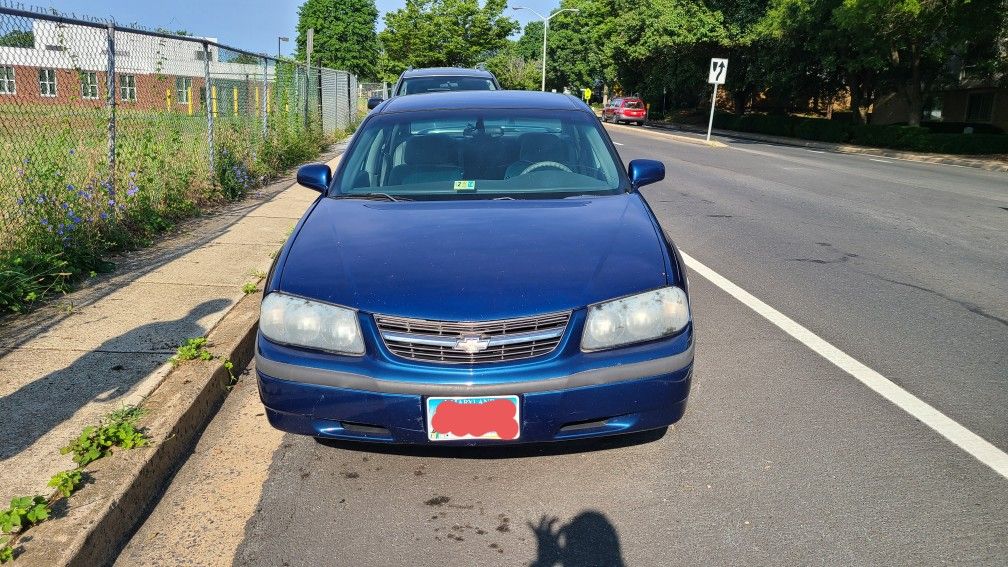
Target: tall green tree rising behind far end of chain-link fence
[{"x": 345, "y": 36}]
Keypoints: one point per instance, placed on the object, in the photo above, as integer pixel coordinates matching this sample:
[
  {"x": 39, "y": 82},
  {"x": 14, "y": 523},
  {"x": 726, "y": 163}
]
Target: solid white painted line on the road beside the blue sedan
[{"x": 965, "y": 439}]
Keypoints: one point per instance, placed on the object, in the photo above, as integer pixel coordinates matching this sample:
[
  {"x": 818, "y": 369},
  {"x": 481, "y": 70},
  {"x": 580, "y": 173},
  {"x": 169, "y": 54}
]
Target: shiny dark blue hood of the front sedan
[{"x": 469, "y": 261}]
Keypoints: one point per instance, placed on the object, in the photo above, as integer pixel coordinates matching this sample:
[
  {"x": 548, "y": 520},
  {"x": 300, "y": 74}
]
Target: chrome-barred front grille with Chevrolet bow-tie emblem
[{"x": 452, "y": 343}]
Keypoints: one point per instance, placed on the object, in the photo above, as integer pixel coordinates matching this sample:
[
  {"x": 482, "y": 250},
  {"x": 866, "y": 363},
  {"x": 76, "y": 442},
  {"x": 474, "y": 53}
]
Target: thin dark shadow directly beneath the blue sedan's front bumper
[{"x": 512, "y": 451}]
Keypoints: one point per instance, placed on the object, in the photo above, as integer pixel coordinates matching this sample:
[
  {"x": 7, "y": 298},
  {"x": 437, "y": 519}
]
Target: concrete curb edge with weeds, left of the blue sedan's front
[{"x": 102, "y": 517}]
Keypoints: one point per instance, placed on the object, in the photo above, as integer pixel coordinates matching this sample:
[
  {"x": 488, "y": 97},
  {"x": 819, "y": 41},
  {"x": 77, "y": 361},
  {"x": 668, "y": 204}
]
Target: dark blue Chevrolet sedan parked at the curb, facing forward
[{"x": 479, "y": 270}]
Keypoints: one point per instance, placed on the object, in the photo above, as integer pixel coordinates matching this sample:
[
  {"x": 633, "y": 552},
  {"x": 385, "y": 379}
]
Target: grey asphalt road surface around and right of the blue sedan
[{"x": 783, "y": 458}]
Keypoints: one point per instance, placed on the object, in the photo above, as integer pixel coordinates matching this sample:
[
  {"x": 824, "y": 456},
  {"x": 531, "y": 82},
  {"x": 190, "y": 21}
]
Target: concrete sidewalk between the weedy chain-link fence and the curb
[{"x": 69, "y": 364}]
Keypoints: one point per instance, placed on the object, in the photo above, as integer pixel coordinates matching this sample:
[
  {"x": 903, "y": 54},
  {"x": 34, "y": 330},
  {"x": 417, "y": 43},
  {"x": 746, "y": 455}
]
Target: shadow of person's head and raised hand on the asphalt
[{"x": 589, "y": 539}]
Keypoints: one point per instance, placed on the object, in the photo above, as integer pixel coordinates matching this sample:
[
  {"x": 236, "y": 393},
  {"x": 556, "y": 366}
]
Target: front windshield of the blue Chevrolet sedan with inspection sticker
[{"x": 481, "y": 154}]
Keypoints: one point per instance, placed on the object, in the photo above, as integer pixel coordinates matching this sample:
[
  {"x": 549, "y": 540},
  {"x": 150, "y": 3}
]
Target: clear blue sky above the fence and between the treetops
[{"x": 254, "y": 26}]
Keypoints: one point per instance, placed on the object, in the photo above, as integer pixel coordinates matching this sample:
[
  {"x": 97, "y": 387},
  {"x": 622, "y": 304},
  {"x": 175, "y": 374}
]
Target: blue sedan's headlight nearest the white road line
[{"x": 636, "y": 319}]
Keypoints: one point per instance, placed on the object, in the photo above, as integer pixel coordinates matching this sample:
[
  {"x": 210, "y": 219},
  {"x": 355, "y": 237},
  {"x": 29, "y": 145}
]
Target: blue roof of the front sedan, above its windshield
[{"x": 483, "y": 99}]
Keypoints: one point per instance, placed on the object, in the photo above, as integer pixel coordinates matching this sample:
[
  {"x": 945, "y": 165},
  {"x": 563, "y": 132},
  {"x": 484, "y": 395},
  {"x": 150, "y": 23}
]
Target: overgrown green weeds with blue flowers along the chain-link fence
[{"x": 61, "y": 216}]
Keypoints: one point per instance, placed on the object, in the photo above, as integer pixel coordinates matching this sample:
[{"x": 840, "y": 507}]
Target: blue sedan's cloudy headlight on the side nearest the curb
[{"x": 297, "y": 321}]
